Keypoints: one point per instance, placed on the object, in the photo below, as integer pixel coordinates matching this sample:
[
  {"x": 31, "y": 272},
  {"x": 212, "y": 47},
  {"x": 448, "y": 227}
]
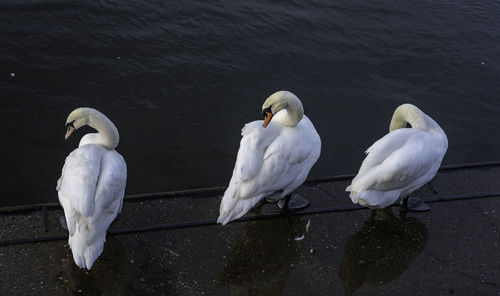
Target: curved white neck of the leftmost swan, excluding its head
[{"x": 107, "y": 135}]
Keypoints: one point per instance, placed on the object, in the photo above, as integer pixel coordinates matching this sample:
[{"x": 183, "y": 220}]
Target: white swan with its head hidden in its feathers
[{"x": 402, "y": 161}]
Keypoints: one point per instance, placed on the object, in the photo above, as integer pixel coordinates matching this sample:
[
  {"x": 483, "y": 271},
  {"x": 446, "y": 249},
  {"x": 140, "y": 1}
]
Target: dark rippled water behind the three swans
[{"x": 179, "y": 79}]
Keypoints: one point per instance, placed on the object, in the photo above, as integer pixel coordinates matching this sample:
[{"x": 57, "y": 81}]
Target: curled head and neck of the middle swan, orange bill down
[{"x": 283, "y": 100}]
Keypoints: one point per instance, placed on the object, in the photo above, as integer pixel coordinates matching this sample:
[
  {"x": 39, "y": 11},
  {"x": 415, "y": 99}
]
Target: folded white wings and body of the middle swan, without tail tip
[{"x": 270, "y": 160}]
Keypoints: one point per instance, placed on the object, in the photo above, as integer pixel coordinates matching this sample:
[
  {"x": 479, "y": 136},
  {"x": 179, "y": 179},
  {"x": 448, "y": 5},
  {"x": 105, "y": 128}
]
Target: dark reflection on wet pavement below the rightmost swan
[{"x": 381, "y": 250}]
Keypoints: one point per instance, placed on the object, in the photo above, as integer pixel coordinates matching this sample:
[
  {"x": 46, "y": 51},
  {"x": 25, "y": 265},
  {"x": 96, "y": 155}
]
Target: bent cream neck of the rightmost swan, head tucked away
[{"x": 408, "y": 113}]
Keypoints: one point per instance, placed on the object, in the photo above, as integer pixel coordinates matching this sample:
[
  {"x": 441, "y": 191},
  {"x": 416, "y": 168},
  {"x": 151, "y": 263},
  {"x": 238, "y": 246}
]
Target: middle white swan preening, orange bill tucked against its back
[{"x": 274, "y": 158}]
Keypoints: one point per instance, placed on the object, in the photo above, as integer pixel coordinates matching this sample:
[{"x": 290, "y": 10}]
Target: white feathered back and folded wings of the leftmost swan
[{"x": 87, "y": 228}]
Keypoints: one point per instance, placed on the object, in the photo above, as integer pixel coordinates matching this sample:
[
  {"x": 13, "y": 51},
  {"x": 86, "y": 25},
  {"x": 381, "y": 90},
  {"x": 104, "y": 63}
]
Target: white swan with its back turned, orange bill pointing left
[{"x": 92, "y": 185}]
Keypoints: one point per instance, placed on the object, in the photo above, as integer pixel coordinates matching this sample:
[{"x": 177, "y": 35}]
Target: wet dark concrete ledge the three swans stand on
[{"x": 169, "y": 244}]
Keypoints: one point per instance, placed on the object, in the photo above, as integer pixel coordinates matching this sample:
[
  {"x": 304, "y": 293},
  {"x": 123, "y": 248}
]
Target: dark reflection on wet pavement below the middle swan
[{"x": 262, "y": 256}]
